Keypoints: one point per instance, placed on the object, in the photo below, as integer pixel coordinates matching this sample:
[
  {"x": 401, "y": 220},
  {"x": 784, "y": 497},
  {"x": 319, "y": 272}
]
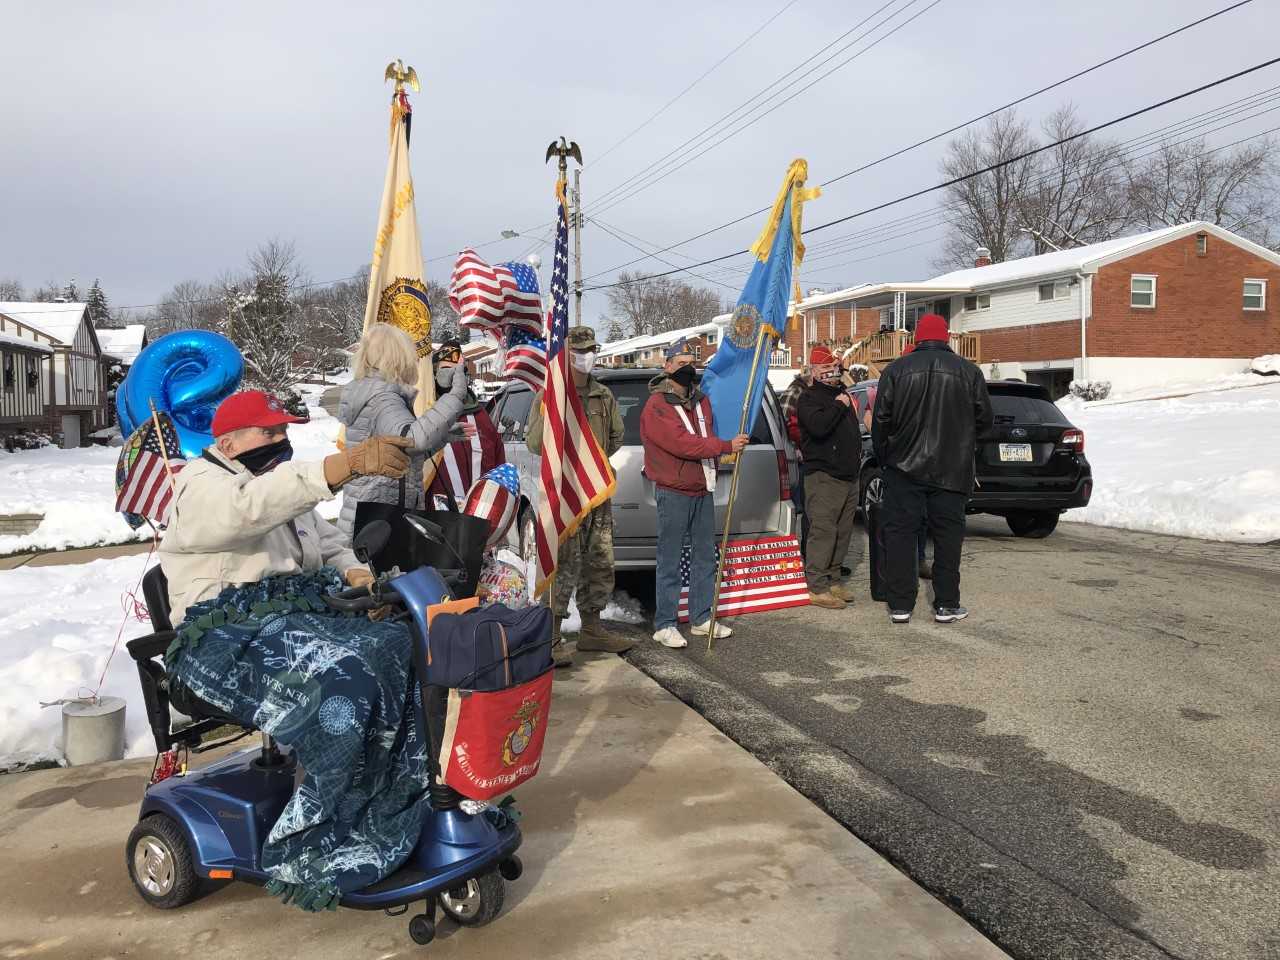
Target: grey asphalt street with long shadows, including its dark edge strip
[{"x": 1087, "y": 767}]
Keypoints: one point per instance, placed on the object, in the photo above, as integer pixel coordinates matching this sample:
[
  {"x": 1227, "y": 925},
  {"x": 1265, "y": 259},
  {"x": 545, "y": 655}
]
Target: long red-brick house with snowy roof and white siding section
[{"x": 1182, "y": 303}]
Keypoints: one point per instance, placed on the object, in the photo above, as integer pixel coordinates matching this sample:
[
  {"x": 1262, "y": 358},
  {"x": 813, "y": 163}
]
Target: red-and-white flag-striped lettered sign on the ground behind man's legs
[{"x": 761, "y": 574}]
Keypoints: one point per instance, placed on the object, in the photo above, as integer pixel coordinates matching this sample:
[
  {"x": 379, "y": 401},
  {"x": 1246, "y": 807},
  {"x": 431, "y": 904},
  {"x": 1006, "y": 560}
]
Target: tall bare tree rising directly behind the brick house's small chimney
[{"x": 988, "y": 207}]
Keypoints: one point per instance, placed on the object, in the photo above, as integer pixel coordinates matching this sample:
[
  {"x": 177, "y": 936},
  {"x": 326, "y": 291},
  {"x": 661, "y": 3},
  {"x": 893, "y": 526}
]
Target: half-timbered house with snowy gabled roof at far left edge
[{"x": 74, "y": 391}]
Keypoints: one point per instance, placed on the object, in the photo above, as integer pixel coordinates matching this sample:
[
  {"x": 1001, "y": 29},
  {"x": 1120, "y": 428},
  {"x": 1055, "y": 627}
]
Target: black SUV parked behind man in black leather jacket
[{"x": 1031, "y": 467}]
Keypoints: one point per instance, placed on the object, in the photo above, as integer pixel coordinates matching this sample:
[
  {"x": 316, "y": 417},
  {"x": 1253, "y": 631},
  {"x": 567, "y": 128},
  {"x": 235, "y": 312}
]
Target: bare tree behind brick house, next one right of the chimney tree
[{"x": 1077, "y": 194}]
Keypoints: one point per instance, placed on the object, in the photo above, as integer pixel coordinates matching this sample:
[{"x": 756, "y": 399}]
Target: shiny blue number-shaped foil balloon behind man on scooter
[{"x": 186, "y": 374}]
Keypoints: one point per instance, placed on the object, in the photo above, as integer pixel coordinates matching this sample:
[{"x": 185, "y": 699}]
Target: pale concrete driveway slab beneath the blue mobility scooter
[{"x": 648, "y": 835}]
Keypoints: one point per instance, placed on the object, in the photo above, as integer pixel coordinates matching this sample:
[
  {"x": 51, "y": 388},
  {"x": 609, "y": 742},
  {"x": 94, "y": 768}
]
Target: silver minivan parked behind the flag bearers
[{"x": 764, "y": 505}]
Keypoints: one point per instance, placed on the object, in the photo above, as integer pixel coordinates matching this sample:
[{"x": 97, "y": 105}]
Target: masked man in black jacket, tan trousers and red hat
[{"x": 833, "y": 450}]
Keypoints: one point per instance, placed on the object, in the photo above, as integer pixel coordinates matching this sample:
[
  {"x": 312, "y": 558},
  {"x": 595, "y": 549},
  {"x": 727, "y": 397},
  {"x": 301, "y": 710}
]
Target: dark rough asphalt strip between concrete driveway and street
[{"x": 1026, "y": 915}]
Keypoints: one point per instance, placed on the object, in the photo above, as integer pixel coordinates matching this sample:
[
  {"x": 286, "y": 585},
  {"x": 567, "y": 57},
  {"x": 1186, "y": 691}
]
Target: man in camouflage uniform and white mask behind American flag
[{"x": 586, "y": 559}]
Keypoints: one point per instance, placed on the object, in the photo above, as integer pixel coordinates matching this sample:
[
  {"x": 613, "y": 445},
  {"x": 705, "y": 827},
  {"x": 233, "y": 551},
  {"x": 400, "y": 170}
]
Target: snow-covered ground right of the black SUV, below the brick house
[{"x": 1203, "y": 465}]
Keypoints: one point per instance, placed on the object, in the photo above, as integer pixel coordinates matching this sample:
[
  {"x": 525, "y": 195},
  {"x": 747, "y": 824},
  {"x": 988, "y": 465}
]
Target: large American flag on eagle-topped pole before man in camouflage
[{"x": 577, "y": 476}]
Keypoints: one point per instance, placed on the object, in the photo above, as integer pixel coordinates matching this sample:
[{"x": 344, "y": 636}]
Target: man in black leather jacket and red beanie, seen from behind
[{"x": 930, "y": 409}]
